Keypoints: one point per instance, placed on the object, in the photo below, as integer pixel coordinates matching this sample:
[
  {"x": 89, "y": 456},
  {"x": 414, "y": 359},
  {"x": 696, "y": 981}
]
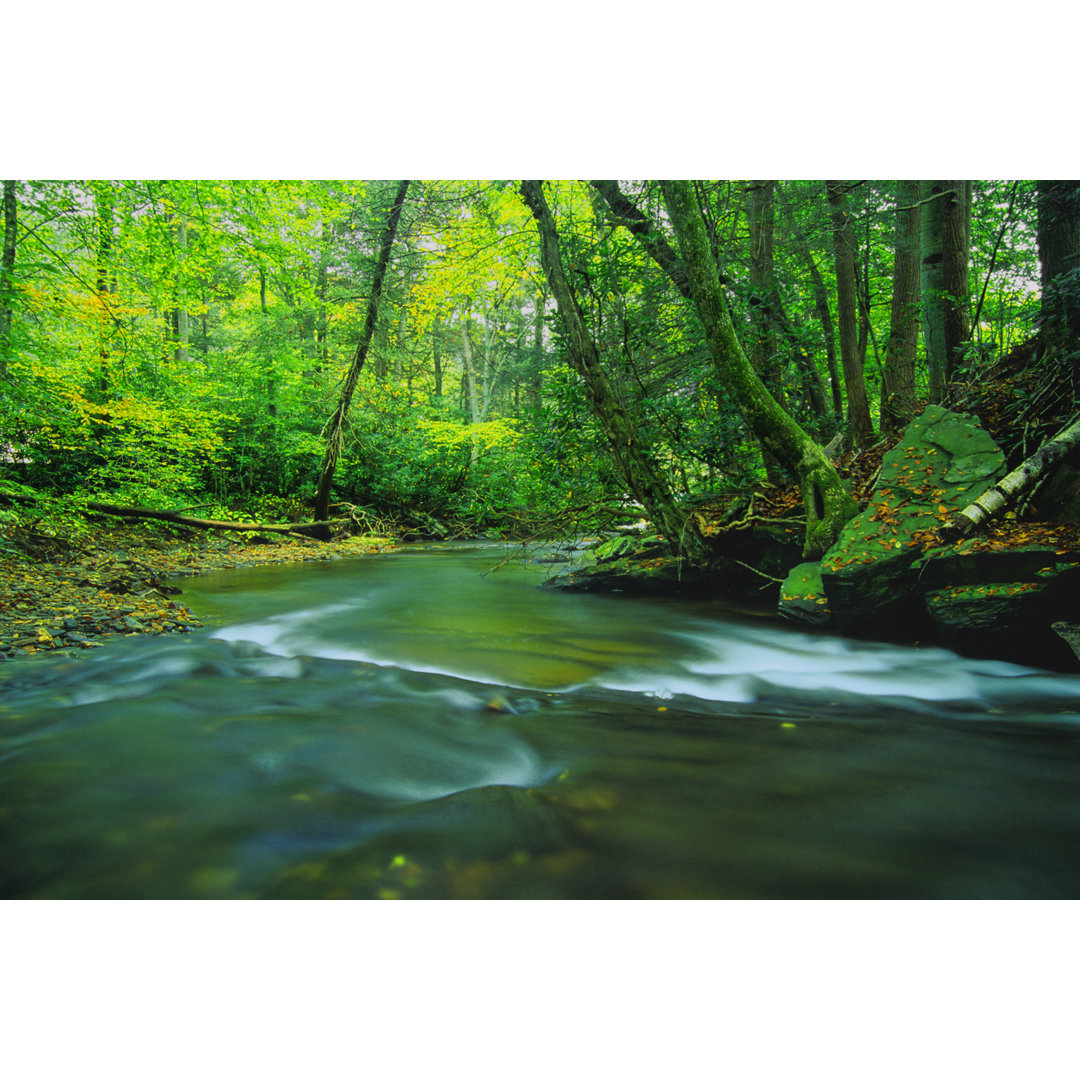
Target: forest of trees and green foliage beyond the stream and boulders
[{"x": 514, "y": 360}]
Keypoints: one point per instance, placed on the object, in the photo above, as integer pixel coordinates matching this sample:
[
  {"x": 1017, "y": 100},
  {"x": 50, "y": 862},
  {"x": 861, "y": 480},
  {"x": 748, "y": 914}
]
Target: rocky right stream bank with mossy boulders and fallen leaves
[{"x": 898, "y": 572}]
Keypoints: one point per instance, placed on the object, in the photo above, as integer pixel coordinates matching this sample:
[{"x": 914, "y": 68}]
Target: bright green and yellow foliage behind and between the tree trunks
[{"x": 178, "y": 342}]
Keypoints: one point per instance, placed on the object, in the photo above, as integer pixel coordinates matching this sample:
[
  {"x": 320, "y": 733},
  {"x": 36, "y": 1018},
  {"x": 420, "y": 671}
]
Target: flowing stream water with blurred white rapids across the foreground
[{"x": 409, "y": 726}]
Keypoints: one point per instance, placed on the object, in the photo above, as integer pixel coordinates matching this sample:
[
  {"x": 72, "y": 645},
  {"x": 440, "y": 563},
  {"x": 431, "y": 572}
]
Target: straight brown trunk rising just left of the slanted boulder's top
[{"x": 898, "y": 388}]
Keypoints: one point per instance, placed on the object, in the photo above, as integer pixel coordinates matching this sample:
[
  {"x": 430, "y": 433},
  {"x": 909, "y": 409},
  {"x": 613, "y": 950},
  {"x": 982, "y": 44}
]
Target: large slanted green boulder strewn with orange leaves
[{"x": 942, "y": 464}]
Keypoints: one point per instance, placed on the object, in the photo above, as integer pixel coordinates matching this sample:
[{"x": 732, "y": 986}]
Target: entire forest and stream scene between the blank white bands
[{"x": 670, "y": 539}]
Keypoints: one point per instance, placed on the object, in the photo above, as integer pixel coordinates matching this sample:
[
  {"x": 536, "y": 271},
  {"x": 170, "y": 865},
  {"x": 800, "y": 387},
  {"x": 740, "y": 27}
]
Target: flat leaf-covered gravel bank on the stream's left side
[{"x": 119, "y": 582}]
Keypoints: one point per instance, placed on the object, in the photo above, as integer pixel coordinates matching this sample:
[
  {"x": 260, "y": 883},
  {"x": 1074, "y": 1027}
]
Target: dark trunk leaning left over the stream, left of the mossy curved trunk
[{"x": 679, "y": 529}]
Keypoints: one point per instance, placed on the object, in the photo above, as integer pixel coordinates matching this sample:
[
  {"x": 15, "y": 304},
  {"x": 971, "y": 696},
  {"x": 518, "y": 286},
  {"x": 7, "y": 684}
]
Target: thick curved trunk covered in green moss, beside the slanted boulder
[{"x": 829, "y": 507}]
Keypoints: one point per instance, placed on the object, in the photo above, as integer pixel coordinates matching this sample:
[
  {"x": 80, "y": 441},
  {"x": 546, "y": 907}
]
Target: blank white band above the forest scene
[{"x": 559, "y": 90}]
